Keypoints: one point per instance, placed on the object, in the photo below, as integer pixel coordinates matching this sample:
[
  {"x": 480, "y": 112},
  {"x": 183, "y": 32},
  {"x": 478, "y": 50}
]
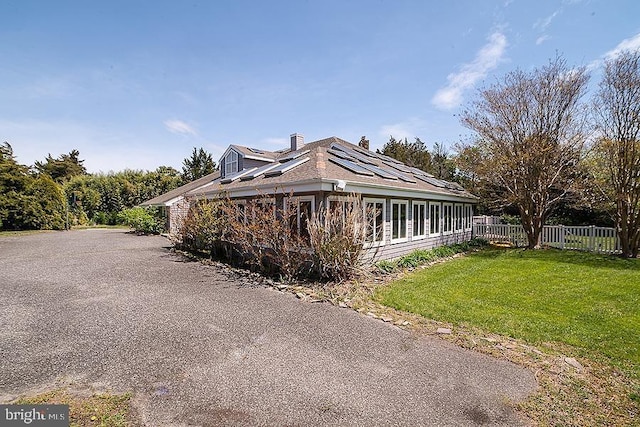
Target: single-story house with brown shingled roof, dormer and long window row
[{"x": 412, "y": 208}]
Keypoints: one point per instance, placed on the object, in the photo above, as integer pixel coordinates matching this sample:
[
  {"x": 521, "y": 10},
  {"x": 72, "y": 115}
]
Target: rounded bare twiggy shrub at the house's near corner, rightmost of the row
[{"x": 337, "y": 236}]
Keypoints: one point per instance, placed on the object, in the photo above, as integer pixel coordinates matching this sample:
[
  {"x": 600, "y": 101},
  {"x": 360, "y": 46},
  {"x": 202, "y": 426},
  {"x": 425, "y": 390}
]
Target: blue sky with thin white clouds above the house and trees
[{"x": 137, "y": 84}]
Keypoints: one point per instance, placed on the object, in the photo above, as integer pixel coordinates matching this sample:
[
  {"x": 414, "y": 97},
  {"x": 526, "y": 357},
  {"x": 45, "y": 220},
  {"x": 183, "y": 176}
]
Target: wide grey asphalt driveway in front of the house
[{"x": 197, "y": 346}]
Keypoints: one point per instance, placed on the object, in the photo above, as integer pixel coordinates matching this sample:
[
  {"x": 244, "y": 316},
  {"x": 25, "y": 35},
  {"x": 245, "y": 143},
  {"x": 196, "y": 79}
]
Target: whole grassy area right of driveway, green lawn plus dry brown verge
[{"x": 566, "y": 303}]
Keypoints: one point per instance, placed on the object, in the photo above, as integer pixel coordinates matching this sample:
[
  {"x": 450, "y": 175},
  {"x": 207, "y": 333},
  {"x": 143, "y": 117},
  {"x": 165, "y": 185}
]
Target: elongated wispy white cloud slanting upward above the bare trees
[{"x": 486, "y": 60}]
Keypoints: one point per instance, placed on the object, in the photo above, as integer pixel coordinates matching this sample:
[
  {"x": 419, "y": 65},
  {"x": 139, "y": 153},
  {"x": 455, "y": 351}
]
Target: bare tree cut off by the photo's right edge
[{"x": 617, "y": 149}]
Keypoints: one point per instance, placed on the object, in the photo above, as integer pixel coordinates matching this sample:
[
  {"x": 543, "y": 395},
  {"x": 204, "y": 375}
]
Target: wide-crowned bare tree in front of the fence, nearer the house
[{"x": 529, "y": 128}]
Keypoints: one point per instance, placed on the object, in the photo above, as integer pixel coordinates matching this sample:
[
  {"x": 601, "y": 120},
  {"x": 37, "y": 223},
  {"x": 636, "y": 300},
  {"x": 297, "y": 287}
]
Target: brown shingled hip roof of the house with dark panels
[{"x": 322, "y": 163}]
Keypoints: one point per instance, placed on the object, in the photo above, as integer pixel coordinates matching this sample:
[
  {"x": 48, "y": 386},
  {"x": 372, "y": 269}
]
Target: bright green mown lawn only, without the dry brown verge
[{"x": 589, "y": 301}]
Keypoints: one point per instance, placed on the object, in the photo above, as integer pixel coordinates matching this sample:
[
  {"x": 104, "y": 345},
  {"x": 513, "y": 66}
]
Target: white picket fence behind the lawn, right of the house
[{"x": 585, "y": 238}]
